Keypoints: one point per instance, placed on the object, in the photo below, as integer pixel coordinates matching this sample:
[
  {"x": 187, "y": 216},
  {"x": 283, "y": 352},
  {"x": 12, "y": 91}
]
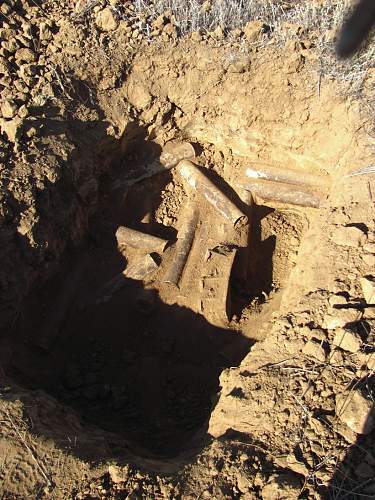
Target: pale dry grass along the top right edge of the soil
[{"x": 319, "y": 21}]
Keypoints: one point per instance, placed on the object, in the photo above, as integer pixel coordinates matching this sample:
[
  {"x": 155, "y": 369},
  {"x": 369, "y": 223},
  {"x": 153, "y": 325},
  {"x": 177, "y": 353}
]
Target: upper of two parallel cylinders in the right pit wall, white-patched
[{"x": 269, "y": 173}]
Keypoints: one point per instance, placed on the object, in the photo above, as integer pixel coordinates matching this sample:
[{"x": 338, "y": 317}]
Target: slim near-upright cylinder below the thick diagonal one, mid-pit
[{"x": 189, "y": 221}]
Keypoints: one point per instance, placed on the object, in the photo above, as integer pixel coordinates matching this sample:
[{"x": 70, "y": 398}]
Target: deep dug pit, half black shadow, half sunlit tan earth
[{"x": 139, "y": 354}]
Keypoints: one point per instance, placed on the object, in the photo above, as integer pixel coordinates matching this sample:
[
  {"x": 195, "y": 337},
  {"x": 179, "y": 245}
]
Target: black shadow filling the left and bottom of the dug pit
[{"x": 140, "y": 373}]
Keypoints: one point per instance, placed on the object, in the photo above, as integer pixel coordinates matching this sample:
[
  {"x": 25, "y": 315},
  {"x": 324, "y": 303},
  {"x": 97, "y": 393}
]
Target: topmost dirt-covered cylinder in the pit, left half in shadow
[{"x": 172, "y": 153}]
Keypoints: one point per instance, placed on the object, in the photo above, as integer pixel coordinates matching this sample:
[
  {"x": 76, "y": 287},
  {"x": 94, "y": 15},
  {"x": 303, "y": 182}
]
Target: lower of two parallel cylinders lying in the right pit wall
[{"x": 283, "y": 193}]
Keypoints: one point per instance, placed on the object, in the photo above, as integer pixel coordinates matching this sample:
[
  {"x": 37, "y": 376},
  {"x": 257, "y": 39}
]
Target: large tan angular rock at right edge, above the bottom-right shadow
[{"x": 355, "y": 411}]
